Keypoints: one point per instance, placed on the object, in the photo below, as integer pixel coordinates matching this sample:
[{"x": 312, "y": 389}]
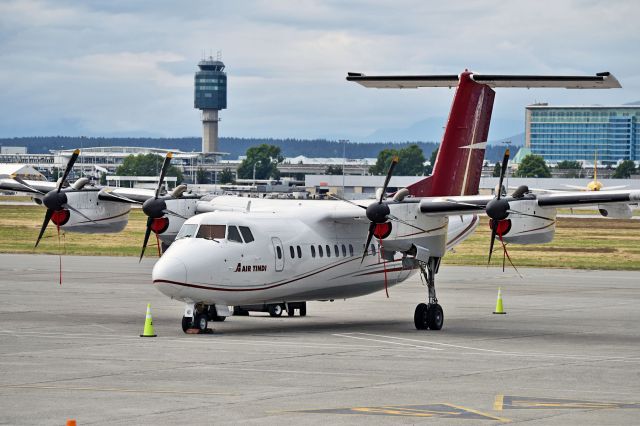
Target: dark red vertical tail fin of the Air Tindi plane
[{"x": 461, "y": 155}]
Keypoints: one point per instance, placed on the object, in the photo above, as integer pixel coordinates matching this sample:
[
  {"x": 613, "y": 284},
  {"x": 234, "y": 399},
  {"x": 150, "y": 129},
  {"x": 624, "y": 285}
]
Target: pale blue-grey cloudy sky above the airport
[{"x": 104, "y": 68}]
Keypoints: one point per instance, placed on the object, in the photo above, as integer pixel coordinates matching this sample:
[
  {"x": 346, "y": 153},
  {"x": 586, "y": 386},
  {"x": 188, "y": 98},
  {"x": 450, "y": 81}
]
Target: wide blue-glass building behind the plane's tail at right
[{"x": 560, "y": 133}]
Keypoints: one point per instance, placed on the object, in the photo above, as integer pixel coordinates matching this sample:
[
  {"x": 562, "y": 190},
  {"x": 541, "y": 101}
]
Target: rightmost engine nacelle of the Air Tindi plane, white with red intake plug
[{"x": 521, "y": 229}]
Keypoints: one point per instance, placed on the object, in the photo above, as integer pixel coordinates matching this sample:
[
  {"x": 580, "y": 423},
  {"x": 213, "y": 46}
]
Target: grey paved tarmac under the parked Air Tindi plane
[{"x": 566, "y": 352}]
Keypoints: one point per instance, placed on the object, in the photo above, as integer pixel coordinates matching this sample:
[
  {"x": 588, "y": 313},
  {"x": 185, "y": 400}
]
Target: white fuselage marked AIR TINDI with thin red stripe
[{"x": 301, "y": 250}]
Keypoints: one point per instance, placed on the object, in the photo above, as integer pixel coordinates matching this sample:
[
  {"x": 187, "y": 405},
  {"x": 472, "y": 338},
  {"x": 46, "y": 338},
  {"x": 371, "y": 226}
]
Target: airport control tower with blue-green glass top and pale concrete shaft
[{"x": 210, "y": 97}]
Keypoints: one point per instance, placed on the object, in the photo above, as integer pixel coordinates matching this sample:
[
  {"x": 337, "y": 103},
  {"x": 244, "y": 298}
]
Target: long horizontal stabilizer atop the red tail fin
[{"x": 603, "y": 80}]
